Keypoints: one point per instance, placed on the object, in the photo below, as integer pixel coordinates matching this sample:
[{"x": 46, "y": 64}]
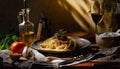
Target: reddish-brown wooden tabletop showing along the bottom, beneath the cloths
[{"x": 86, "y": 65}]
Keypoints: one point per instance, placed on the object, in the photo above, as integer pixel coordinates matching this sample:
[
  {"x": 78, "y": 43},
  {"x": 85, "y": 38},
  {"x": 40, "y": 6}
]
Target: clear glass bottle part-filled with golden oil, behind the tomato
[{"x": 26, "y": 28}]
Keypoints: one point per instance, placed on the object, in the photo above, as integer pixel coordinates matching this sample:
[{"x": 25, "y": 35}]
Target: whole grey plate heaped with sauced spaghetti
[{"x": 61, "y": 44}]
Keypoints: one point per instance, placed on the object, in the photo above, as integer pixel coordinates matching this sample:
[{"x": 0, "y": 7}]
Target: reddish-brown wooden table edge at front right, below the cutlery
[{"x": 95, "y": 65}]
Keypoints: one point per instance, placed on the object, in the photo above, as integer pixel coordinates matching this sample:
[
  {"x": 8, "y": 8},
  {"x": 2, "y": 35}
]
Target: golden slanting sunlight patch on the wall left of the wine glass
[{"x": 80, "y": 11}]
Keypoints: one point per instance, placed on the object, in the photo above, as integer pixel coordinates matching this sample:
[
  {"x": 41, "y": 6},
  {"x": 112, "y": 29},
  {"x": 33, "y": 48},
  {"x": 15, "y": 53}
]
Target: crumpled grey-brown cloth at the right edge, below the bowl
[{"x": 110, "y": 54}]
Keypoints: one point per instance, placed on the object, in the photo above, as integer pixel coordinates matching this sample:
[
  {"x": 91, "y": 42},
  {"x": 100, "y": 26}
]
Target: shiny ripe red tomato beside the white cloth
[{"x": 17, "y": 47}]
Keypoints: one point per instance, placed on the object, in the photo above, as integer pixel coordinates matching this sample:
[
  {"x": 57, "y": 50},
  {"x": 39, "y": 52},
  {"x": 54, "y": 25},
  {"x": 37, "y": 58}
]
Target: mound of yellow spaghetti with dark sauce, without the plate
[{"x": 59, "y": 44}]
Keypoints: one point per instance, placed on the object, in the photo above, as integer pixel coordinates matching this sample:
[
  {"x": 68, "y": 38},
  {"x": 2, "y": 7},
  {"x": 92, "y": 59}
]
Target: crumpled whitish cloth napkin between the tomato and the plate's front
[{"x": 38, "y": 60}]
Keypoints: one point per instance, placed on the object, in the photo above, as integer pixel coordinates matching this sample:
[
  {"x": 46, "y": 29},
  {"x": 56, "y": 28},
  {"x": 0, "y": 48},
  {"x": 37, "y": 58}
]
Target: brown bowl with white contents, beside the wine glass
[{"x": 109, "y": 39}]
